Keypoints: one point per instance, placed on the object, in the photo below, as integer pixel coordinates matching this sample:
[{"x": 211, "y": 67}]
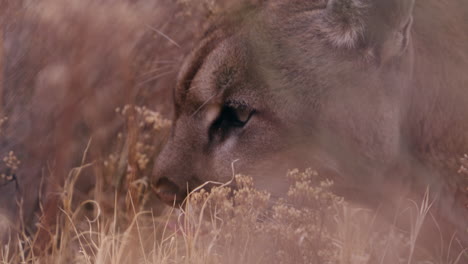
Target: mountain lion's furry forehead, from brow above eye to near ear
[{"x": 269, "y": 49}]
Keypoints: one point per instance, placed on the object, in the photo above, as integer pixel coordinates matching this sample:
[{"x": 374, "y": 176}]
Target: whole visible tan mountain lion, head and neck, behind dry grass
[{"x": 371, "y": 93}]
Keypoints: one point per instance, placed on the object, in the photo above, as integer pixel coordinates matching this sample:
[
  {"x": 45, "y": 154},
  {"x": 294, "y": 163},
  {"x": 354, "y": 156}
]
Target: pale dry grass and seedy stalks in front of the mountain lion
[{"x": 244, "y": 225}]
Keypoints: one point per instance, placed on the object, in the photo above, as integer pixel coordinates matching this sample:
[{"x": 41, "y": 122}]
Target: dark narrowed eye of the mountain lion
[{"x": 232, "y": 115}]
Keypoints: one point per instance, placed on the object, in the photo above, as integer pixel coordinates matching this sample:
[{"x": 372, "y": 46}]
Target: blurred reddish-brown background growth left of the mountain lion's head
[{"x": 67, "y": 65}]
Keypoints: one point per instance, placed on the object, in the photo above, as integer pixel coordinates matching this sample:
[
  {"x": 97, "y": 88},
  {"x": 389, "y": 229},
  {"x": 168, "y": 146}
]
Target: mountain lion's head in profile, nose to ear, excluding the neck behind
[{"x": 291, "y": 84}]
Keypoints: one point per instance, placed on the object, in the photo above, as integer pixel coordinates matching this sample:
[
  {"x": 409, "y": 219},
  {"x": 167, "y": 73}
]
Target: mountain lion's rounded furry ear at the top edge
[{"x": 381, "y": 26}]
